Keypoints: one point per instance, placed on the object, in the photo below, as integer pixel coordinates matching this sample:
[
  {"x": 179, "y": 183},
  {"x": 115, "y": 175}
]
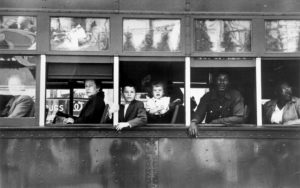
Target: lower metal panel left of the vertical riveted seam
[{"x": 75, "y": 162}]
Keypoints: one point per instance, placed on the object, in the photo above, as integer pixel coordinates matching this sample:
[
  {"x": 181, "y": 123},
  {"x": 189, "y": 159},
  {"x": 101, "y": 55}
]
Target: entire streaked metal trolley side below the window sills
[{"x": 34, "y": 158}]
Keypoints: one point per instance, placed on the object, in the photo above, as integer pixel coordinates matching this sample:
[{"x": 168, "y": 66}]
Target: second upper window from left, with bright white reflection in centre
[{"x": 79, "y": 34}]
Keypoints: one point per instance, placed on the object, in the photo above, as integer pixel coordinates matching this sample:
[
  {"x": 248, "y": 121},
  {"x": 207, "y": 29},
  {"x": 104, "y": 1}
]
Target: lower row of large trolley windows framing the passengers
[{"x": 160, "y": 86}]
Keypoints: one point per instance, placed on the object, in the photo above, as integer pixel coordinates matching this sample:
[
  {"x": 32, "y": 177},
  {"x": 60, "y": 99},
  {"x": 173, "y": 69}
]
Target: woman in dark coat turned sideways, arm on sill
[{"x": 94, "y": 108}]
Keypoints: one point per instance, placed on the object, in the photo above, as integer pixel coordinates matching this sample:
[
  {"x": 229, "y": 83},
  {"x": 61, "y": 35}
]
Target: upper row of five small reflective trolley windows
[{"x": 93, "y": 34}]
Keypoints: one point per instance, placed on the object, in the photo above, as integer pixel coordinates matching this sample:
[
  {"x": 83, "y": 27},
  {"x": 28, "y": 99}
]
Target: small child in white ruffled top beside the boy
[{"x": 158, "y": 107}]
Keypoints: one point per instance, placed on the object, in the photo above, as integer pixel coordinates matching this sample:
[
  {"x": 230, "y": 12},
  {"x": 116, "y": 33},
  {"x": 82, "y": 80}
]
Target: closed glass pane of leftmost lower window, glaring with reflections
[{"x": 17, "y": 86}]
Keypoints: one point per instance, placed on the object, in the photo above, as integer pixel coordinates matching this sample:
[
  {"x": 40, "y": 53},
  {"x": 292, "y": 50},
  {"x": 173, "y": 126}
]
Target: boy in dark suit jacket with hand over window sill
[{"x": 132, "y": 113}]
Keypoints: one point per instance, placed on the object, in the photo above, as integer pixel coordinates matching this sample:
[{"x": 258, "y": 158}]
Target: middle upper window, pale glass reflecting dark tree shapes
[{"x": 151, "y": 35}]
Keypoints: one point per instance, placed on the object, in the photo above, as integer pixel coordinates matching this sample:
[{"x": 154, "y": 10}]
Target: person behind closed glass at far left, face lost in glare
[{"x": 19, "y": 105}]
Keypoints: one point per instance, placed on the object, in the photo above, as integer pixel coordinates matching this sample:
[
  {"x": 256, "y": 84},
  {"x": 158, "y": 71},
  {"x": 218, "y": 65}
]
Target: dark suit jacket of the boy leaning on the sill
[{"x": 135, "y": 114}]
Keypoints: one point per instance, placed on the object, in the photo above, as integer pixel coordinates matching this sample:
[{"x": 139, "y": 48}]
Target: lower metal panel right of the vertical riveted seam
[{"x": 228, "y": 163}]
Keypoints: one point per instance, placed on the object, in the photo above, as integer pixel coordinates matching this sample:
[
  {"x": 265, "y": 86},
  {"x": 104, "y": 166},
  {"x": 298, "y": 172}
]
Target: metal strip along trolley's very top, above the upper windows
[{"x": 165, "y": 5}]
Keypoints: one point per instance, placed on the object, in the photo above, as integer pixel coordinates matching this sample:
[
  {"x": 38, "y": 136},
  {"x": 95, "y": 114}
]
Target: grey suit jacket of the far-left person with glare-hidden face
[{"x": 20, "y": 106}]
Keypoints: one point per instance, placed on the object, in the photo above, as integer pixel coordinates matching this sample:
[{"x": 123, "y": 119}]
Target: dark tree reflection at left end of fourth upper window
[{"x": 203, "y": 42}]
